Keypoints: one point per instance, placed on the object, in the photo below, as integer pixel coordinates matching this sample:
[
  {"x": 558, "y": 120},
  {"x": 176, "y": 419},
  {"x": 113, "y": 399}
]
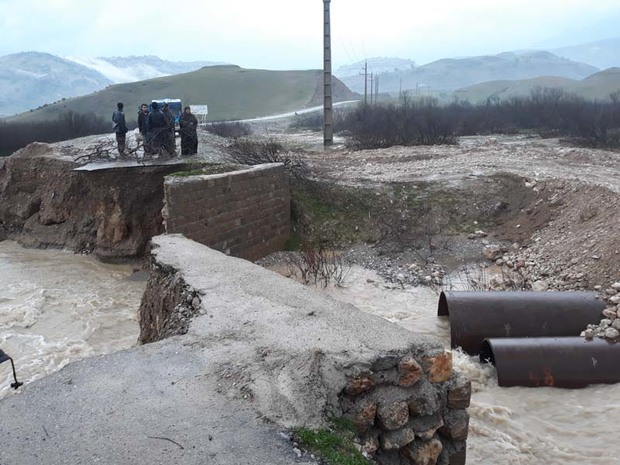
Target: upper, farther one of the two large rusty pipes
[{"x": 475, "y": 316}]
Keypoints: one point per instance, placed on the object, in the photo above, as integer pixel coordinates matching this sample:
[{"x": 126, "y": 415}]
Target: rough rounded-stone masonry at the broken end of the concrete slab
[{"x": 410, "y": 409}]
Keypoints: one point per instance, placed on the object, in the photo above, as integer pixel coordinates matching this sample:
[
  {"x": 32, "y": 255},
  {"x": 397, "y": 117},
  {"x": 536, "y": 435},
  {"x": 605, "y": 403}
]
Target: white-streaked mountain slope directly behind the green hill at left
[{"x": 139, "y": 68}]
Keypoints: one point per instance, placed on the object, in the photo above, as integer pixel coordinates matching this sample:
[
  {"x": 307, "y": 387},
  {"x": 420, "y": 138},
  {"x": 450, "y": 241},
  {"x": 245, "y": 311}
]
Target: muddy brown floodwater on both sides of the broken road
[{"x": 57, "y": 307}]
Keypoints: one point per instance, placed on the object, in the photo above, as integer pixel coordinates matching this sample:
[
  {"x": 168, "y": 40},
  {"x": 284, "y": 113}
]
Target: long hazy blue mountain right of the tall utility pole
[{"x": 450, "y": 74}]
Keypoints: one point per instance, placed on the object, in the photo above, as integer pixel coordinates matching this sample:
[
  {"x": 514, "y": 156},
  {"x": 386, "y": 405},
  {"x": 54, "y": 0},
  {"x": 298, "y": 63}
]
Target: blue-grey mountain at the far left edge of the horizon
[{"x": 30, "y": 79}]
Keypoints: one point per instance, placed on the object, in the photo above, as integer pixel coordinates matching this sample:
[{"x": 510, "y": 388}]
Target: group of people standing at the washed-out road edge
[{"x": 157, "y": 130}]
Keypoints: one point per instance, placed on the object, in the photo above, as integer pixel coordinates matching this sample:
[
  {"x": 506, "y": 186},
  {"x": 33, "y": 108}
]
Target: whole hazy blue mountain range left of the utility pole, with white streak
[{"x": 31, "y": 79}]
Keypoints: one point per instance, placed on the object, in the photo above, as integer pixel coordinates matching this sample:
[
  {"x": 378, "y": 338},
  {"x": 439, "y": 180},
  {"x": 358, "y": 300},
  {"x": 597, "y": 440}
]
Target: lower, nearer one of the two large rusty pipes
[{"x": 567, "y": 362}]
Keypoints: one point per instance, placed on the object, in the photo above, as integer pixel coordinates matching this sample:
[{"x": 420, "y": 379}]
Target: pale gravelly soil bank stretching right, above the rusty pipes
[{"x": 553, "y": 209}]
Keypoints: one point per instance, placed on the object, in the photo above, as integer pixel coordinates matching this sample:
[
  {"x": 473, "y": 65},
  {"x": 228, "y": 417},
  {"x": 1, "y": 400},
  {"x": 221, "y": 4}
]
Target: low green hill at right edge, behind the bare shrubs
[{"x": 597, "y": 86}]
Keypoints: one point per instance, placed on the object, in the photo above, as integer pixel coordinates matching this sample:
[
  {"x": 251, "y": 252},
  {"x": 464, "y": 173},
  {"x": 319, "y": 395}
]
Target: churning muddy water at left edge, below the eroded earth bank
[{"x": 57, "y": 307}]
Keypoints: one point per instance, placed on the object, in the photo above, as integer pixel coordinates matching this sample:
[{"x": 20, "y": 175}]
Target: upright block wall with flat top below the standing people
[{"x": 242, "y": 213}]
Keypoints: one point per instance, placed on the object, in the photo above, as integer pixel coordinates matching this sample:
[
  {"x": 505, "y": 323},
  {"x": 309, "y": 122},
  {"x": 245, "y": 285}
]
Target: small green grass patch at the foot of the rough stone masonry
[{"x": 335, "y": 445}]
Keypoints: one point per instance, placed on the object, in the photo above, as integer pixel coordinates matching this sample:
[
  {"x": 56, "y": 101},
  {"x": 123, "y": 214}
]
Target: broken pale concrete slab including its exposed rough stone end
[{"x": 301, "y": 357}]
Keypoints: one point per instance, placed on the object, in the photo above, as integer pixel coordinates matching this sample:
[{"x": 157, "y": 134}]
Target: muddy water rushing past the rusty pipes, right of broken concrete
[{"x": 508, "y": 426}]
